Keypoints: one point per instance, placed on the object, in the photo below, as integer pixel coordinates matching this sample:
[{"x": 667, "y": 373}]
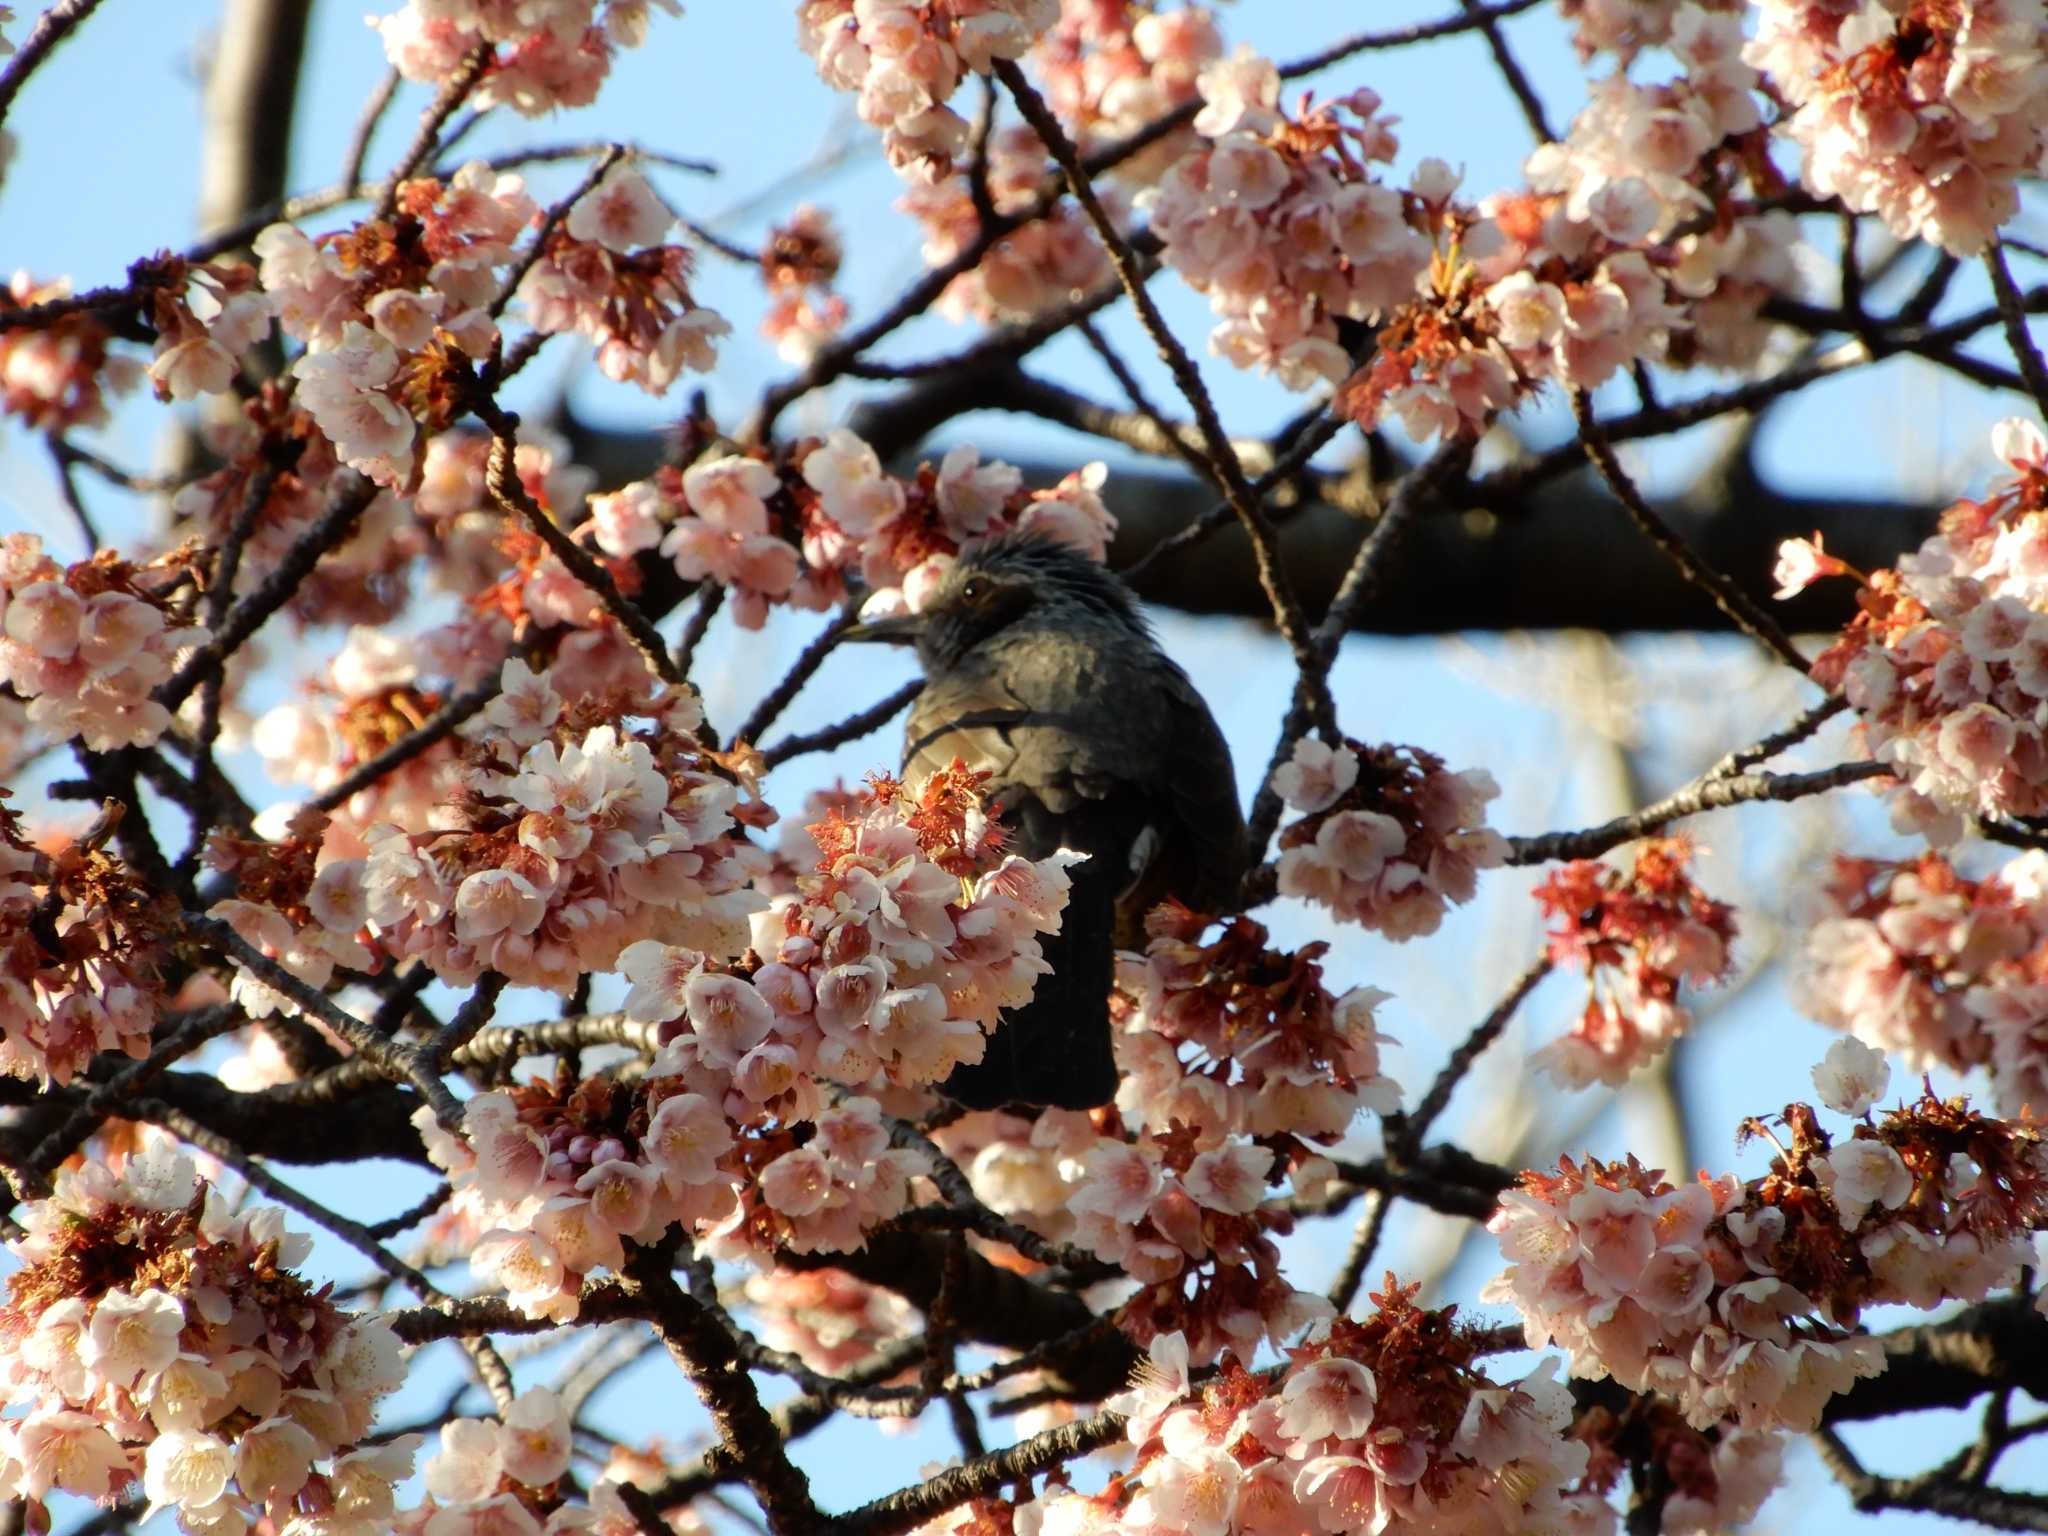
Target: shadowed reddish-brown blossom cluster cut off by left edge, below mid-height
[{"x": 81, "y": 943}]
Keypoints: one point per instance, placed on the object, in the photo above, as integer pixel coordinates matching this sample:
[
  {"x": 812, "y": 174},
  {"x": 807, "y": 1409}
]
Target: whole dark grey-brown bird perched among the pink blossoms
[{"x": 1043, "y": 673}]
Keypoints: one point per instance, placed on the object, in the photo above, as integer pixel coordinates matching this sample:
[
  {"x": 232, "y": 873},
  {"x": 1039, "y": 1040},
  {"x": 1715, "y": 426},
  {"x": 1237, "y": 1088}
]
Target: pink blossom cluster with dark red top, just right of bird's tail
[{"x": 1275, "y": 1054}]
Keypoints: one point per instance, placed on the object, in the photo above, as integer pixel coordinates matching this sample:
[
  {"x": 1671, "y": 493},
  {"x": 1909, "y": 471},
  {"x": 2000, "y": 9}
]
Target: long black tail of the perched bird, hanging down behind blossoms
[{"x": 1056, "y": 1052}]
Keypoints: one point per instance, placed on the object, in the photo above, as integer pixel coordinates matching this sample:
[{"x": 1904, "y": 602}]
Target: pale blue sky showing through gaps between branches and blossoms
[{"x": 108, "y": 173}]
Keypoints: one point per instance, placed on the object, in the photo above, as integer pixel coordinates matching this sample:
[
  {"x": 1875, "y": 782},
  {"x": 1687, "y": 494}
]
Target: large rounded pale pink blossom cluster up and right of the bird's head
[{"x": 1283, "y": 224}]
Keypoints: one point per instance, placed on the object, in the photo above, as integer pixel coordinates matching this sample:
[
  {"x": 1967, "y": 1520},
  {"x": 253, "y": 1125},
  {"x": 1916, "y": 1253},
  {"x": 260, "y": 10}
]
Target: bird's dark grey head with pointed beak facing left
[{"x": 1009, "y": 581}]
